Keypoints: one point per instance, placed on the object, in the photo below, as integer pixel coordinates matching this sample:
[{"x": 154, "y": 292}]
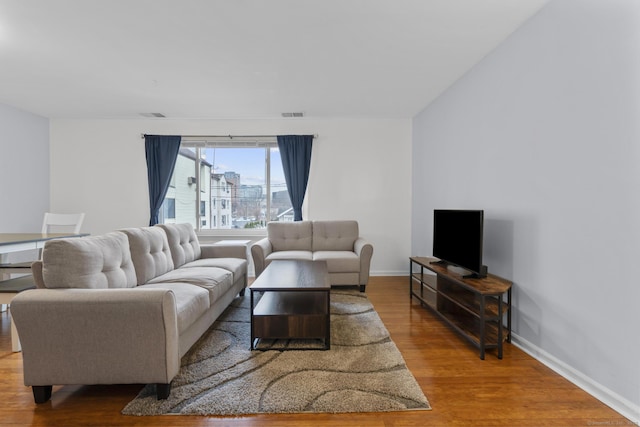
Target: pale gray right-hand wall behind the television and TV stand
[{"x": 544, "y": 135}]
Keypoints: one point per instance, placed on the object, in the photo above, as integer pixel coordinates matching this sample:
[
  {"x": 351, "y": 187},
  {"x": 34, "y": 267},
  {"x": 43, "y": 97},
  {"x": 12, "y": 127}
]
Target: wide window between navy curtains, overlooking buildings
[{"x": 239, "y": 184}]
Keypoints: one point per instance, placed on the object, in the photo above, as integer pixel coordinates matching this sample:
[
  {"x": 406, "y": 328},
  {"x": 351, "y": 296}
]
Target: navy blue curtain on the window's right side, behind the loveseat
[{"x": 295, "y": 152}]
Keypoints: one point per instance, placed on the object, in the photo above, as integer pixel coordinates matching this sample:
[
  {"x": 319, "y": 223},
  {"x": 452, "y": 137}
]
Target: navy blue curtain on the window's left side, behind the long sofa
[{"x": 161, "y": 152}]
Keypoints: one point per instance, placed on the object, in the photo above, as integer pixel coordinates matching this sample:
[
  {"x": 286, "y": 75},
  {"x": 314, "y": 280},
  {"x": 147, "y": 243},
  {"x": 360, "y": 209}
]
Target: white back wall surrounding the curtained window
[{"x": 359, "y": 170}]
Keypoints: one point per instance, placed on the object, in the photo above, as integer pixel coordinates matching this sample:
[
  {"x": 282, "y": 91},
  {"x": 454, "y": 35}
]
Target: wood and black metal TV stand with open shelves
[{"x": 477, "y": 308}]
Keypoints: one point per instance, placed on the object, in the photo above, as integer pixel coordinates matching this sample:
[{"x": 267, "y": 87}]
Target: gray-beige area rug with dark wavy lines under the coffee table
[{"x": 362, "y": 372}]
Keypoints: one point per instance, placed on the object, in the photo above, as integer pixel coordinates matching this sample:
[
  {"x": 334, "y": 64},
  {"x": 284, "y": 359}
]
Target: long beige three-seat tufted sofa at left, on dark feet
[{"x": 123, "y": 307}]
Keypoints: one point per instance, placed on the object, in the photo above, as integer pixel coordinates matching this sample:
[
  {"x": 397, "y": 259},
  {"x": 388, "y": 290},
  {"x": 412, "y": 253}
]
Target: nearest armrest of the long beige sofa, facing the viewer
[{"x": 97, "y": 336}]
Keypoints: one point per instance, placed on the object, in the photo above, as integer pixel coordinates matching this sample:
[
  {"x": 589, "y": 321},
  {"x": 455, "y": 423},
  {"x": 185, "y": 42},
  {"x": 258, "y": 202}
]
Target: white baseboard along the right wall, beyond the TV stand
[{"x": 616, "y": 402}]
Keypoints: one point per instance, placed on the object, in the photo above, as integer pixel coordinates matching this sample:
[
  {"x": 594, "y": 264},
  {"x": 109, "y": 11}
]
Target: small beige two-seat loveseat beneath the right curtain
[{"x": 348, "y": 256}]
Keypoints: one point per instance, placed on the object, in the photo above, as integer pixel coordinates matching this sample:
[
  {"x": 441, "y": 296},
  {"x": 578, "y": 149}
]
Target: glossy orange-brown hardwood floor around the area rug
[{"x": 462, "y": 389}]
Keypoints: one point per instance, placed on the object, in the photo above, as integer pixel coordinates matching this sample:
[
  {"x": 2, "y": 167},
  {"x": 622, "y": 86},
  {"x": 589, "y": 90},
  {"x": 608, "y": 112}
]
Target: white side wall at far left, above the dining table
[{"x": 24, "y": 170}]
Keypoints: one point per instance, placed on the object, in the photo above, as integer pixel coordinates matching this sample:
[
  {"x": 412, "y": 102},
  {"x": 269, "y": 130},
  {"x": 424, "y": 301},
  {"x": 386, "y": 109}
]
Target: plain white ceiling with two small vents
[{"x": 243, "y": 58}]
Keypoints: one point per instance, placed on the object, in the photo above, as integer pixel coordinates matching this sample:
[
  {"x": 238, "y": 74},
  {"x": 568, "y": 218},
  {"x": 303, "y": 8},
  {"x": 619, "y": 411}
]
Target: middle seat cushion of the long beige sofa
[{"x": 215, "y": 280}]
